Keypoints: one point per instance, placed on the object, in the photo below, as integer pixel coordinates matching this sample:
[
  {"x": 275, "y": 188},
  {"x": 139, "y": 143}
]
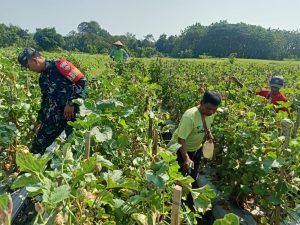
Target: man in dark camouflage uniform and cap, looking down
[{"x": 58, "y": 93}]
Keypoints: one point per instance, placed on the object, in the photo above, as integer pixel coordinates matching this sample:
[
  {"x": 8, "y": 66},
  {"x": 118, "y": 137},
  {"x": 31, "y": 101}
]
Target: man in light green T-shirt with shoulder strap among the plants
[{"x": 191, "y": 134}]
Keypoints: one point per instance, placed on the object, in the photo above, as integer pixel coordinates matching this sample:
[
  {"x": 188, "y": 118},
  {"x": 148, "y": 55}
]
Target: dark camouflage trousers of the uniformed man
[{"x": 48, "y": 132}]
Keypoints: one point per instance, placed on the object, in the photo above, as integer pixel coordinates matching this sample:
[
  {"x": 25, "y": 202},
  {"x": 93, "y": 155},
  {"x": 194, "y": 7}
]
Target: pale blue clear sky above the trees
[{"x": 142, "y": 17}]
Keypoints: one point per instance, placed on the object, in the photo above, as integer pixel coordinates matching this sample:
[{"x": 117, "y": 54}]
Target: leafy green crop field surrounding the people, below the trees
[{"x": 130, "y": 110}]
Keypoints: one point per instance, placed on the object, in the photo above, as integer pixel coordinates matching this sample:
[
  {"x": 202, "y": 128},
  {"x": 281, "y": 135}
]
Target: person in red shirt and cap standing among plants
[{"x": 273, "y": 94}]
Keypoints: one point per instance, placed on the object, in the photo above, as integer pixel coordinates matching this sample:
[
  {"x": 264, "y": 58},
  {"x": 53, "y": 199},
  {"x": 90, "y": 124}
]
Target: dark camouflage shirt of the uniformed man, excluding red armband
[{"x": 57, "y": 91}]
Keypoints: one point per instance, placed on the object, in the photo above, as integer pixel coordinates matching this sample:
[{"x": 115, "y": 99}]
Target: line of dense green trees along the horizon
[{"x": 219, "y": 39}]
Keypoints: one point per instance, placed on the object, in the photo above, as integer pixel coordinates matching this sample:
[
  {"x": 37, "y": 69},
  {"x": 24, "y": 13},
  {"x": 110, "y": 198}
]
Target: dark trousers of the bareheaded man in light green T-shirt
[{"x": 196, "y": 157}]
